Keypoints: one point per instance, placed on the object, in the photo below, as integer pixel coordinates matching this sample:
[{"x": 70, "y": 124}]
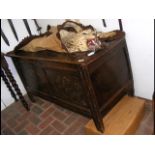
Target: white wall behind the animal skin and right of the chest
[{"x": 140, "y": 40}]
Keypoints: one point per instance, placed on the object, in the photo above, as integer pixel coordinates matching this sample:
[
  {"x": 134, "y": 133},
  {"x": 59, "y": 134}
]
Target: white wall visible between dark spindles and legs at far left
[{"x": 6, "y": 98}]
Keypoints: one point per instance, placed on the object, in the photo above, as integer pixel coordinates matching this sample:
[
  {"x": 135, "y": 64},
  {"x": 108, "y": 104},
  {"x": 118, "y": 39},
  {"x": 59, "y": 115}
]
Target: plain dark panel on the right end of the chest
[{"x": 110, "y": 75}]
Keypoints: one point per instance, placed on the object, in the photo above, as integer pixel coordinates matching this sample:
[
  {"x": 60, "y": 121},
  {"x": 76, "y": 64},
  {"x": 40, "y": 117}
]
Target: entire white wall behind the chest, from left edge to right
[{"x": 140, "y": 40}]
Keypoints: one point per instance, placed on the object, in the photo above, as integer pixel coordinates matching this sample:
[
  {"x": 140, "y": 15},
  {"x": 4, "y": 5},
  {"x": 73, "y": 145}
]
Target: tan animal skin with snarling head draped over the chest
[{"x": 69, "y": 37}]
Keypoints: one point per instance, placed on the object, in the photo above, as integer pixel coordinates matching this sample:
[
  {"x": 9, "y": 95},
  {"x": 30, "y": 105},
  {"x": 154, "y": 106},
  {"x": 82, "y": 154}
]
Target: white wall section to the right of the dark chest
[{"x": 140, "y": 39}]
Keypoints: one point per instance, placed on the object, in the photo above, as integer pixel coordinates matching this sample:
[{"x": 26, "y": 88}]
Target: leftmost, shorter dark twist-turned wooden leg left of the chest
[{"x": 8, "y": 85}]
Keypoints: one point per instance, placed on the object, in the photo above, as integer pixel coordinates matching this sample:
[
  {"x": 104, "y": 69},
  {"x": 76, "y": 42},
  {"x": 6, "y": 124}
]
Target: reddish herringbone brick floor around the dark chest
[{"x": 46, "y": 118}]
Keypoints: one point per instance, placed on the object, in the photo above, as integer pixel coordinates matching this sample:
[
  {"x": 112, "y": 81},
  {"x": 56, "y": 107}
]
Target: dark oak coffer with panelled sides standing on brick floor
[{"x": 85, "y": 83}]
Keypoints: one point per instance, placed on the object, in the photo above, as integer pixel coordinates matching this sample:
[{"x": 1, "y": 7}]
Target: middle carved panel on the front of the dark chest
[{"x": 66, "y": 85}]
